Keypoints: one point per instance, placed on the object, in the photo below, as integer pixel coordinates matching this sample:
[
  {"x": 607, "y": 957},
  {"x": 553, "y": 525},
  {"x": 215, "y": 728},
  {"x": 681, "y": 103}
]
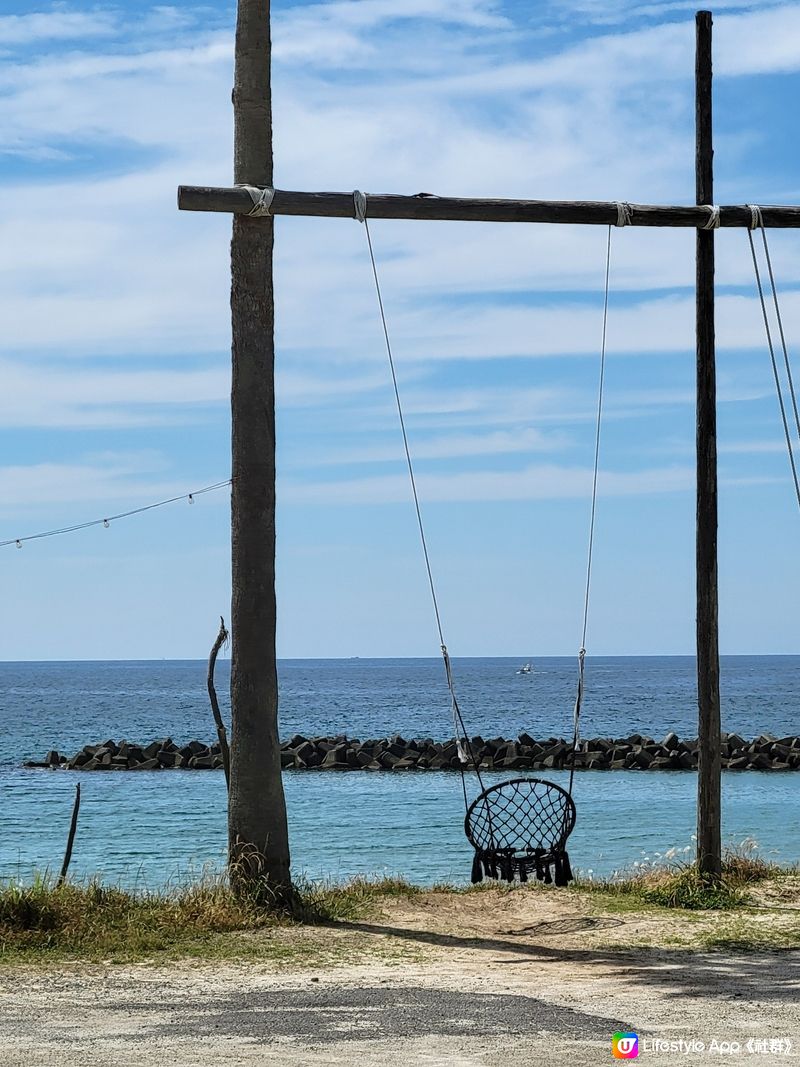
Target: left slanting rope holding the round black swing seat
[{"x": 463, "y": 745}]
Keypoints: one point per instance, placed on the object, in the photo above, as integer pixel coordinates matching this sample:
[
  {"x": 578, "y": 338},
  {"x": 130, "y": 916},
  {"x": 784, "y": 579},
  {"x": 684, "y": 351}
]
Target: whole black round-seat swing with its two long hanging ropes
[{"x": 518, "y": 829}]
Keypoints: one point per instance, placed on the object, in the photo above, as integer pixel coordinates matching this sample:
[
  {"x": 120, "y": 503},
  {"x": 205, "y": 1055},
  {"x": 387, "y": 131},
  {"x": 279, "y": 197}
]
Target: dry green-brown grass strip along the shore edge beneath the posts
[{"x": 43, "y": 922}]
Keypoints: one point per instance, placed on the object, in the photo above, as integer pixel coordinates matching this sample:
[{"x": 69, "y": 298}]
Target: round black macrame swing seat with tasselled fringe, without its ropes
[{"x": 519, "y": 831}]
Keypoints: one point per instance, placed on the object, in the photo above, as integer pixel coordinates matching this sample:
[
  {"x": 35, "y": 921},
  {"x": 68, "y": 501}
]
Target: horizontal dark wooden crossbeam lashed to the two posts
[{"x": 425, "y": 206}]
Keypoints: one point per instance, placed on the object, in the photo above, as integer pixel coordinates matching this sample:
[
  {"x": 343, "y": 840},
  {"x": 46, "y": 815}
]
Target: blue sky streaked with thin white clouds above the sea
[{"x": 115, "y": 349}]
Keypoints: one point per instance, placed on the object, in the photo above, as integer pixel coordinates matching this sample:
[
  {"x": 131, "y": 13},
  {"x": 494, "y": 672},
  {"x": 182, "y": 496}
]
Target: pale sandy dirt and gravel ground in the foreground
[{"x": 489, "y": 979}]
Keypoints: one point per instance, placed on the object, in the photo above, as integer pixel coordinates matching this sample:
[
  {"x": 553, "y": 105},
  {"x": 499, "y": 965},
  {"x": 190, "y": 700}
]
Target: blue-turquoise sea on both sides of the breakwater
[{"x": 154, "y": 829}]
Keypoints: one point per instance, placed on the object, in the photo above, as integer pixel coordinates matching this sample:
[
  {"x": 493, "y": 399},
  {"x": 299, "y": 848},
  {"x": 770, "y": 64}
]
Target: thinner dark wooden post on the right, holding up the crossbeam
[{"x": 710, "y": 846}]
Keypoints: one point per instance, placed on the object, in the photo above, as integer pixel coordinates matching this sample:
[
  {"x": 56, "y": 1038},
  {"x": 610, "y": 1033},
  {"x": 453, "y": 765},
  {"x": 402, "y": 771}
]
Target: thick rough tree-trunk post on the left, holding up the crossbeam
[{"x": 259, "y": 843}]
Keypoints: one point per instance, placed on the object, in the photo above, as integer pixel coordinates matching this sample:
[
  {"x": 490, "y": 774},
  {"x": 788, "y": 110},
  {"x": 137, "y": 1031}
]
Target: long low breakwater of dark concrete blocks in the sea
[{"x": 635, "y": 753}]
